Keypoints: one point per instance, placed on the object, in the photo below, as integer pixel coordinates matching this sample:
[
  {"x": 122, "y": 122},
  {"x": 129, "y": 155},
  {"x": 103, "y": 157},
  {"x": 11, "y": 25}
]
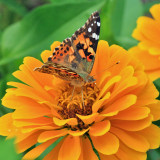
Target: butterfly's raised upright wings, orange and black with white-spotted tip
[{"x": 78, "y": 52}]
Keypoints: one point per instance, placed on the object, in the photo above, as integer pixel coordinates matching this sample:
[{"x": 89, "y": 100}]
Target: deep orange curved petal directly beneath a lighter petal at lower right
[{"x": 132, "y": 125}]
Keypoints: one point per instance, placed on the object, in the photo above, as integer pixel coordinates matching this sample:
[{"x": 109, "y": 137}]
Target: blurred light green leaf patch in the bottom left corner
[{"x": 7, "y": 150}]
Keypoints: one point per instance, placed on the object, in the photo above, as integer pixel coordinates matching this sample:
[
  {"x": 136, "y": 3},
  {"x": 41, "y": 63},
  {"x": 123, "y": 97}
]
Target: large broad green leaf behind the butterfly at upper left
[{"x": 42, "y": 26}]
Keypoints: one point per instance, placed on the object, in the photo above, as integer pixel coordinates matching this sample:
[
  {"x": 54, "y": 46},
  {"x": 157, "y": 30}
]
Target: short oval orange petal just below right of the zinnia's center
[{"x": 100, "y": 128}]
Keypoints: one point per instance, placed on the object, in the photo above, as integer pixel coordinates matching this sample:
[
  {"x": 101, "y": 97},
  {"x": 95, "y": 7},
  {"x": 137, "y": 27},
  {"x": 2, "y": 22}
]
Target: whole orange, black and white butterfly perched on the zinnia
[{"x": 74, "y": 58}]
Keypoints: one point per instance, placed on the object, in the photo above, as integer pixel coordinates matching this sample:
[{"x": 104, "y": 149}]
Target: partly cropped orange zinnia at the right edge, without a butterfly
[{"x": 148, "y": 49}]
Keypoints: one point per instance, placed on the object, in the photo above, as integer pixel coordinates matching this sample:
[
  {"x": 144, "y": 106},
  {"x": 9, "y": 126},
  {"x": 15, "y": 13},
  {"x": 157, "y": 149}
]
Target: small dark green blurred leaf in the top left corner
[{"x": 15, "y": 6}]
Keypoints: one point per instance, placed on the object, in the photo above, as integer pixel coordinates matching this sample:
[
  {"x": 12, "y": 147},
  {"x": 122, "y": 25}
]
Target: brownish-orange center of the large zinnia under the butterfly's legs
[{"x": 77, "y": 101}]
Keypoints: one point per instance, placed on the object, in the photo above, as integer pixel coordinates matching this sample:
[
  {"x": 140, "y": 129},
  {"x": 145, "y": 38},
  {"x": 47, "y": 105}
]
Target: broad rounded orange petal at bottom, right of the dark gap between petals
[{"x": 107, "y": 144}]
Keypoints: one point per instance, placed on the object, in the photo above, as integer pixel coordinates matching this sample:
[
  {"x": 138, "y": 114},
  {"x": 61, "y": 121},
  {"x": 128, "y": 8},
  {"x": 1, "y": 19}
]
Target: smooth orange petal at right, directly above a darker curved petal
[{"x": 133, "y": 113}]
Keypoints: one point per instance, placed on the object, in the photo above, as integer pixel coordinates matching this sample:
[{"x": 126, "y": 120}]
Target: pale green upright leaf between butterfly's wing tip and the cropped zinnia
[{"x": 123, "y": 17}]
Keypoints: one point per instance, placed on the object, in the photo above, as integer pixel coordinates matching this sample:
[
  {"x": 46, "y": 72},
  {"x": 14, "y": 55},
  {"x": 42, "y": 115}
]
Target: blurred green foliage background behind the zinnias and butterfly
[{"x": 27, "y": 27}]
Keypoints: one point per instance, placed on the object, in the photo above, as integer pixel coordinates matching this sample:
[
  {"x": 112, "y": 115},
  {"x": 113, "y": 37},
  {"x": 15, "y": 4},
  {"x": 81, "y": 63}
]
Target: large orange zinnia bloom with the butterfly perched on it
[{"x": 116, "y": 117}]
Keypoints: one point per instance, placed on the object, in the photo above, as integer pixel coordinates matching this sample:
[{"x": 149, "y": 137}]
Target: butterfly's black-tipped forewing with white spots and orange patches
[{"x": 85, "y": 41}]
